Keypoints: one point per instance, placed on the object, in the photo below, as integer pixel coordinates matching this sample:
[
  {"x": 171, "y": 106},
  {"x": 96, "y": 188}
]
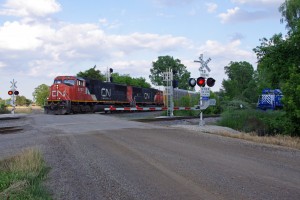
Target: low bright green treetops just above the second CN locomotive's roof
[{"x": 126, "y": 79}]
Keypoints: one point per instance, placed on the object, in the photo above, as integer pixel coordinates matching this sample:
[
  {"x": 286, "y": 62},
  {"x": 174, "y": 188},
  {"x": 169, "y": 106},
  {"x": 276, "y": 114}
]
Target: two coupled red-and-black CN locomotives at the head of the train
[{"x": 71, "y": 94}]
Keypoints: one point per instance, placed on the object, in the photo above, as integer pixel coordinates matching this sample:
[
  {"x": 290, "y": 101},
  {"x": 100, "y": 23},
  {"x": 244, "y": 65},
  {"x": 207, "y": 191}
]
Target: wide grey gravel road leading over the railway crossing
[{"x": 106, "y": 157}]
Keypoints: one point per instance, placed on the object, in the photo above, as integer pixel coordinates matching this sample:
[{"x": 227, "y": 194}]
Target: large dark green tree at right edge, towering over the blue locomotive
[{"x": 279, "y": 62}]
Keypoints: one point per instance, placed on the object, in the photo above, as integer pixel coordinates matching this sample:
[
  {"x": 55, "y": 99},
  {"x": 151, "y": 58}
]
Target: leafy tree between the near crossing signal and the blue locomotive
[{"x": 241, "y": 83}]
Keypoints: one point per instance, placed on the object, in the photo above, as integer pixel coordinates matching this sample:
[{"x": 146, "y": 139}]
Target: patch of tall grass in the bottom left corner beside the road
[{"x": 21, "y": 176}]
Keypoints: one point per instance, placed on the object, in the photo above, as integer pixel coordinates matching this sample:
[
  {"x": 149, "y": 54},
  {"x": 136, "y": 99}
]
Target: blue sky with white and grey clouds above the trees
[{"x": 42, "y": 39}]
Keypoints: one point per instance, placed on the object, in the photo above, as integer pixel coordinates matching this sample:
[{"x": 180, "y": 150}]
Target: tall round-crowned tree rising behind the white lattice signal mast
[{"x": 162, "y": 65}]
